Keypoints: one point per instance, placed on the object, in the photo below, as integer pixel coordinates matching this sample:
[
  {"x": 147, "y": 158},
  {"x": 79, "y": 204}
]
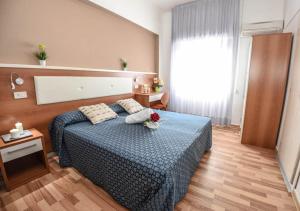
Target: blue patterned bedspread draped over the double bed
[{"x": 142, "y": 169}]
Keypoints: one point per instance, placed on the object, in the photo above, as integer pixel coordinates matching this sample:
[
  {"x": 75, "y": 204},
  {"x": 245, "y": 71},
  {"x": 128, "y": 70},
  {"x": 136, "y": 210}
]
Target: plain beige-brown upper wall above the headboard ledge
[{"x": 76, "y": 33}]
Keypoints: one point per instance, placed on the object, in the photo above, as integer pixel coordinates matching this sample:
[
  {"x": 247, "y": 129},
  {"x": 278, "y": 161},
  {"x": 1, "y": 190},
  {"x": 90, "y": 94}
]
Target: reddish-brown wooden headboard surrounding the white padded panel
[{"x": 40, "y": 116}]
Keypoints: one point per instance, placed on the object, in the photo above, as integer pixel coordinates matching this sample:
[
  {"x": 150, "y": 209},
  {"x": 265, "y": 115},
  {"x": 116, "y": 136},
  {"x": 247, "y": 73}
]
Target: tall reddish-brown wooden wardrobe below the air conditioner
[{"x": 267, "y": 83}]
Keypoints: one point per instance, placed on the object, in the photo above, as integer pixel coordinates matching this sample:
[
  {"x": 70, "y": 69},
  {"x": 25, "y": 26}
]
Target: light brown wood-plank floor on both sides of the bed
[{"x": 231, "y": 177}]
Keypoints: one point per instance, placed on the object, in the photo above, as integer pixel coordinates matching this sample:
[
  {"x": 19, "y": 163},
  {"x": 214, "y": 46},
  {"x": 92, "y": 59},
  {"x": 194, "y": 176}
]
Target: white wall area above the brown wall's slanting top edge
[{"x": 141, "y": 12}]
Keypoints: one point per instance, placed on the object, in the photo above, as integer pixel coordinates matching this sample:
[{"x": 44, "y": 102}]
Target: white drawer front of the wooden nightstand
[{"x": 20, "y": 150}]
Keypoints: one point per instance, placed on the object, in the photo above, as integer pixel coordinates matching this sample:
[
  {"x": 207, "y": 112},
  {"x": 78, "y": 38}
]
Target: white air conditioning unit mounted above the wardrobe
[{"x": 268, "y": 27}]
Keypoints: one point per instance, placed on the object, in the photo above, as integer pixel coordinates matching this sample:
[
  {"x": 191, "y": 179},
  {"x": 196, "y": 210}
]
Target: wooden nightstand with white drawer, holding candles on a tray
[{"x": 23, "y": 160}]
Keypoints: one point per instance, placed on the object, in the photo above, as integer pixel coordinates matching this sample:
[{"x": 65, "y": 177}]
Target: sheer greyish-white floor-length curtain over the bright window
[{"x": 204, "y": 46}]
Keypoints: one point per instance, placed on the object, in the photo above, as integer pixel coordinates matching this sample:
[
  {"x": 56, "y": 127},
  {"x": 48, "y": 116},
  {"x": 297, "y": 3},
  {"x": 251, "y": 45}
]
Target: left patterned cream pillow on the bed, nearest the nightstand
[{"x": 98, "y": 113}]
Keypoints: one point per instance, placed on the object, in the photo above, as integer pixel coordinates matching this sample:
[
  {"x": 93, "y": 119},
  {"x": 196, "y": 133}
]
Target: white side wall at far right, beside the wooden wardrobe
[{"x": 289, "y": 137}]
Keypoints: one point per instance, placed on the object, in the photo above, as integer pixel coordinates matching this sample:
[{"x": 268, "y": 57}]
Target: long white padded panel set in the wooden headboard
[{"x": 55, "y": 89}]
